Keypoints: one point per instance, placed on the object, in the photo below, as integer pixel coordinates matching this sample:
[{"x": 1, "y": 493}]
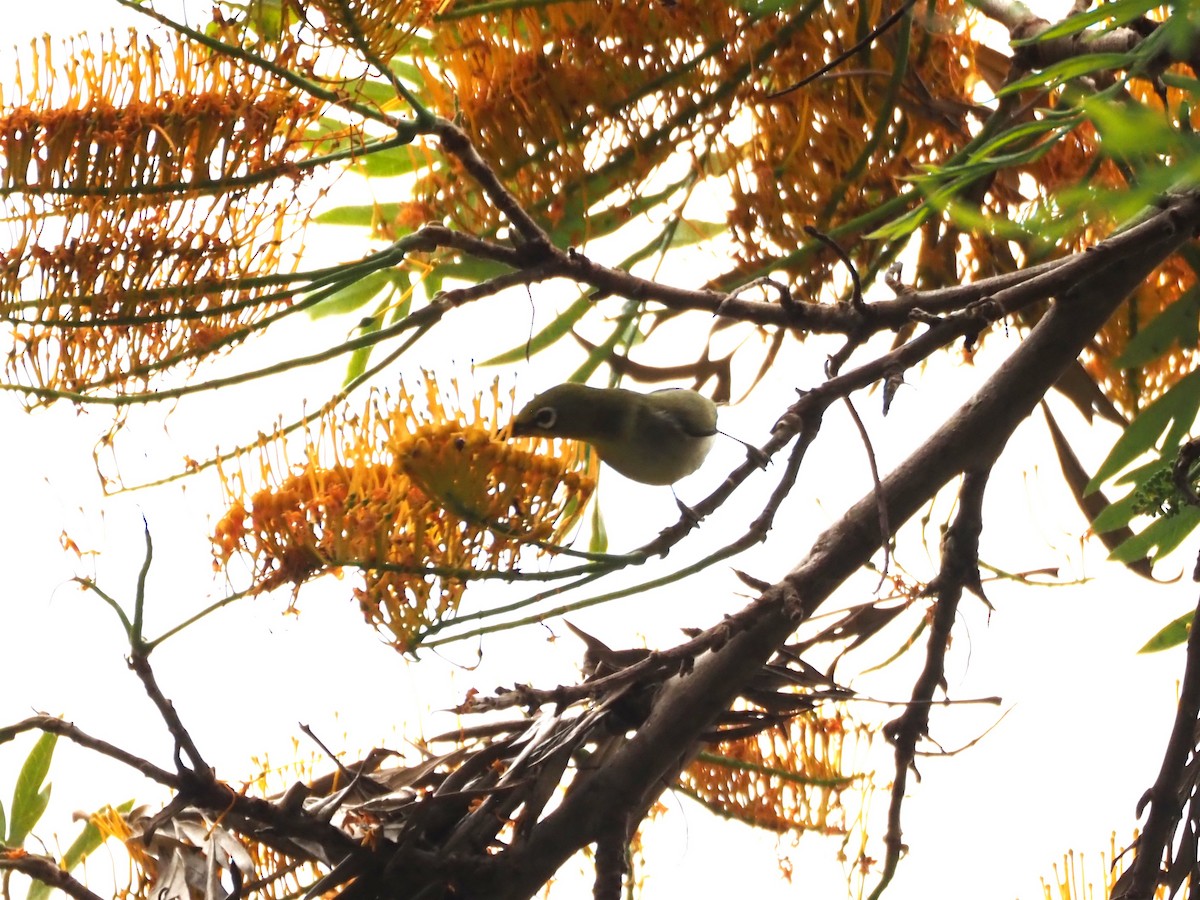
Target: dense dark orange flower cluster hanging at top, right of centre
[{"x": 842, "y": 146}]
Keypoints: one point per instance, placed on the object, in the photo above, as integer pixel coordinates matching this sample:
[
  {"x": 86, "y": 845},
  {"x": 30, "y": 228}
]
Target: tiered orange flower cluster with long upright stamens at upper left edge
[{"x": 147, "y": 188}]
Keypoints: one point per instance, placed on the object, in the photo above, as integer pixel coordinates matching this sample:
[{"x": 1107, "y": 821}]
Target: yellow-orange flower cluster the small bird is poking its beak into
[{"x": 421, "y": 497}]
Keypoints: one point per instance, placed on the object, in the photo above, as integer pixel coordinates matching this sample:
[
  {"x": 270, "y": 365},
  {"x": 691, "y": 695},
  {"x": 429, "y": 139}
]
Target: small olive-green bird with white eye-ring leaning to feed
[{"x": 655, "y": 439}]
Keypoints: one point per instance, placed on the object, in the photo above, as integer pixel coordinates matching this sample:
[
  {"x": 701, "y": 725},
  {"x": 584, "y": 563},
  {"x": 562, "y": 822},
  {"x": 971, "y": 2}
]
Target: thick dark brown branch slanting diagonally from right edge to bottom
[{"x": 650, "y": 761}]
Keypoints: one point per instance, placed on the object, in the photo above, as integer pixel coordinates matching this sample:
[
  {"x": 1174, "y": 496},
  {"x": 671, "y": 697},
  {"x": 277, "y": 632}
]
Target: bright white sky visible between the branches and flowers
[{"x": 1087, "y": 716}]
